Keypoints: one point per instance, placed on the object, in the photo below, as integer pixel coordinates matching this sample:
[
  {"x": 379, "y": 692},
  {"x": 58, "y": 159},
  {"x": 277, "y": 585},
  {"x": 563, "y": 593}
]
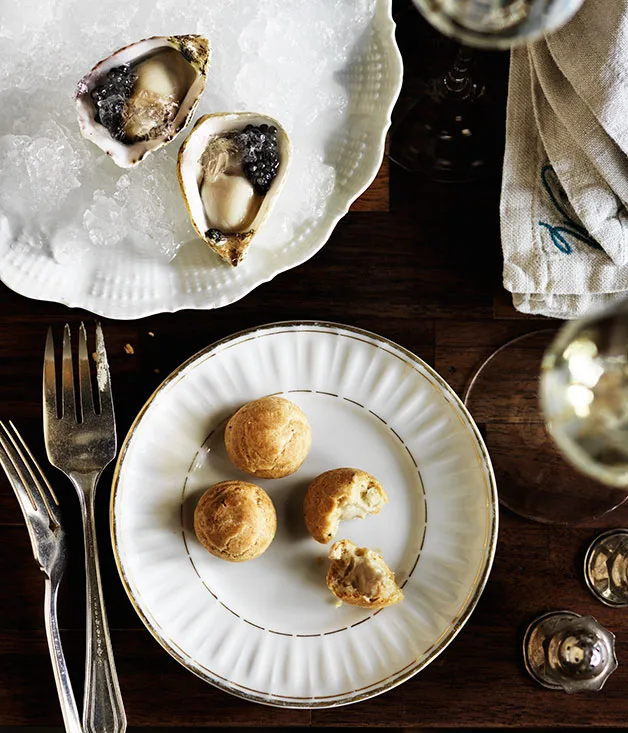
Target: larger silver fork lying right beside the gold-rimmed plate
[{"x": 81, "y": 445}]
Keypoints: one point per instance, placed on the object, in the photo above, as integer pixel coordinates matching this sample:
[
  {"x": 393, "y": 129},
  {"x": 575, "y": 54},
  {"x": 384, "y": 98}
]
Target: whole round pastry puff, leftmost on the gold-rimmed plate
[{"x": 235, "y": 520}]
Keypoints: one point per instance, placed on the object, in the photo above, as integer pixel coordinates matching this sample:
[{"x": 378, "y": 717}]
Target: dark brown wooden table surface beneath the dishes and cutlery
[{"x": 420, "y": 264}]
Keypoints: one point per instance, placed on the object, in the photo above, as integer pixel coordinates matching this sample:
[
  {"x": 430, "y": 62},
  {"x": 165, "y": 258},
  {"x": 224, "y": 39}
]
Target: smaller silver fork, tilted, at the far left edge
[{"x": 43, "y": 521}]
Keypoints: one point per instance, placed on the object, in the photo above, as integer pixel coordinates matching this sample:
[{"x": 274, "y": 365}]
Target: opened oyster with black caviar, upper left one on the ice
[{"x": 139, "y": 98}]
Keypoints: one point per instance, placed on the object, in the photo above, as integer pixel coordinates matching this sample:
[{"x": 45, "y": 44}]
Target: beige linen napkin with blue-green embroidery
[{"x": 564, "y": 202}]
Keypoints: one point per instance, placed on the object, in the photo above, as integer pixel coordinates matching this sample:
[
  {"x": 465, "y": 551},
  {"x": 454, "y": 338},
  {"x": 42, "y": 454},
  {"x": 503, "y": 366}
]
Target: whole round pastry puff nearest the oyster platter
[{"x": 268, "y": 438}]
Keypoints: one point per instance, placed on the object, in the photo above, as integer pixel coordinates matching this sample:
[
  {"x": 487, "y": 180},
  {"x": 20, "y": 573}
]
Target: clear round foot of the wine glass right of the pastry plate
[{"x": 533, "y": 478}]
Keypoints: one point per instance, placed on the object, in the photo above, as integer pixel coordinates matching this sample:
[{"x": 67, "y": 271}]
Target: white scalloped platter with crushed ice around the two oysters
[{"x": 50, "y": 250}]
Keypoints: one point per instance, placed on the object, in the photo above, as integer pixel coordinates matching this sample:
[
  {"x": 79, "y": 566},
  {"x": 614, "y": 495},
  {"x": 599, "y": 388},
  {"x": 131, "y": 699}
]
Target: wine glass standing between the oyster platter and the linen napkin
[{"x": 449, "y": 133}]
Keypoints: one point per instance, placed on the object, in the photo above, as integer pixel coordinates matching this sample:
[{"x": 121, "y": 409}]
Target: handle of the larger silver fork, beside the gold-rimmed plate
[{"x": 103, "y": 709}]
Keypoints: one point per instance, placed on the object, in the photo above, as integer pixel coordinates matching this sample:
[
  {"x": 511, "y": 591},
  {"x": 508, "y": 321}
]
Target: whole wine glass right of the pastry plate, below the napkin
[{"x": 554, "y": 408}]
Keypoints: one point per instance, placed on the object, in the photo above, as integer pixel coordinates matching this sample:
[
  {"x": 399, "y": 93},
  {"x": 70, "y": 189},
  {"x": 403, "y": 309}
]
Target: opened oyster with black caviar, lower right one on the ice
[{"x": 231, "y": 168}]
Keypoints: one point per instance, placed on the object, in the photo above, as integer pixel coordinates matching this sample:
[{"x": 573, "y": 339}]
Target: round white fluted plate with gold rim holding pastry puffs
[{"x": 269, "y": 629}]
